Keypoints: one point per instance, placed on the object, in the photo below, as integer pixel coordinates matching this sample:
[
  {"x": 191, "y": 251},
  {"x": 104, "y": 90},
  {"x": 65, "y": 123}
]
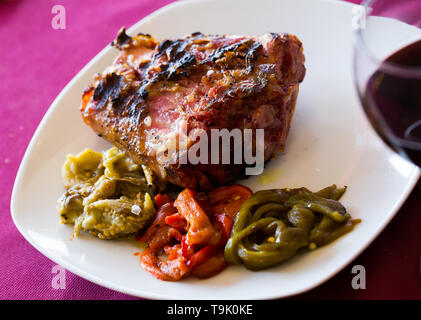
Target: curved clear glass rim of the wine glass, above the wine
[{"x": 386, "y": 66}]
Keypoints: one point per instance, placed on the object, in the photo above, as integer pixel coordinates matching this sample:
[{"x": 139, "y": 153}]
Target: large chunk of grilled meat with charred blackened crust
[{"x": 198, "y": 82}]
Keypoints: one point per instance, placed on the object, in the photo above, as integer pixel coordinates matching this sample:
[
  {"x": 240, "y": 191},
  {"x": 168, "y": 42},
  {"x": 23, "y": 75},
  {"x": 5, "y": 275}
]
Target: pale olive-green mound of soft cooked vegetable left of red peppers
[{"x": 107, "y": 194}]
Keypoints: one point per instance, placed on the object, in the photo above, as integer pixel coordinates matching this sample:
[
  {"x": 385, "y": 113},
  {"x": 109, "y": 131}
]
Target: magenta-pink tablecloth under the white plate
[{"x": 36, "y": 62}]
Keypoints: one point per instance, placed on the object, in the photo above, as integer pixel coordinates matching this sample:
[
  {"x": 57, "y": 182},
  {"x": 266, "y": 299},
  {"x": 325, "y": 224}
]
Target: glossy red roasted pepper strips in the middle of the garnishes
[{"x": 191, "y": 232}]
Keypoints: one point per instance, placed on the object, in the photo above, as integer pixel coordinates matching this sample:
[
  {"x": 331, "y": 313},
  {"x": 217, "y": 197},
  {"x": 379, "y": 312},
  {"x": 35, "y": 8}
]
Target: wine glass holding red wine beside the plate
[{"x": 387, "y": 71}]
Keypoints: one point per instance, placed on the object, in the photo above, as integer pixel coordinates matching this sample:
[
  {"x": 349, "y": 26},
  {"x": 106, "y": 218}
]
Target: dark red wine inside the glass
[{"x": 393, "y": 104}]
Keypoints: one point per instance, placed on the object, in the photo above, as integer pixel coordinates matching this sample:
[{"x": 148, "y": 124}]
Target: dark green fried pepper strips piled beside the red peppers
[{"x": 273, "y": 225}]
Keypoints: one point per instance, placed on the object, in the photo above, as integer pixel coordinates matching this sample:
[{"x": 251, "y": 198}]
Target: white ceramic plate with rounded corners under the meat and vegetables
[{"x": 330, "y": 142}]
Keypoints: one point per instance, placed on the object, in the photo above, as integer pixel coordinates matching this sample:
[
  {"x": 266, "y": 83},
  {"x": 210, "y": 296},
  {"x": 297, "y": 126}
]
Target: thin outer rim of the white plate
[{"x": 23, "y": 167}]
